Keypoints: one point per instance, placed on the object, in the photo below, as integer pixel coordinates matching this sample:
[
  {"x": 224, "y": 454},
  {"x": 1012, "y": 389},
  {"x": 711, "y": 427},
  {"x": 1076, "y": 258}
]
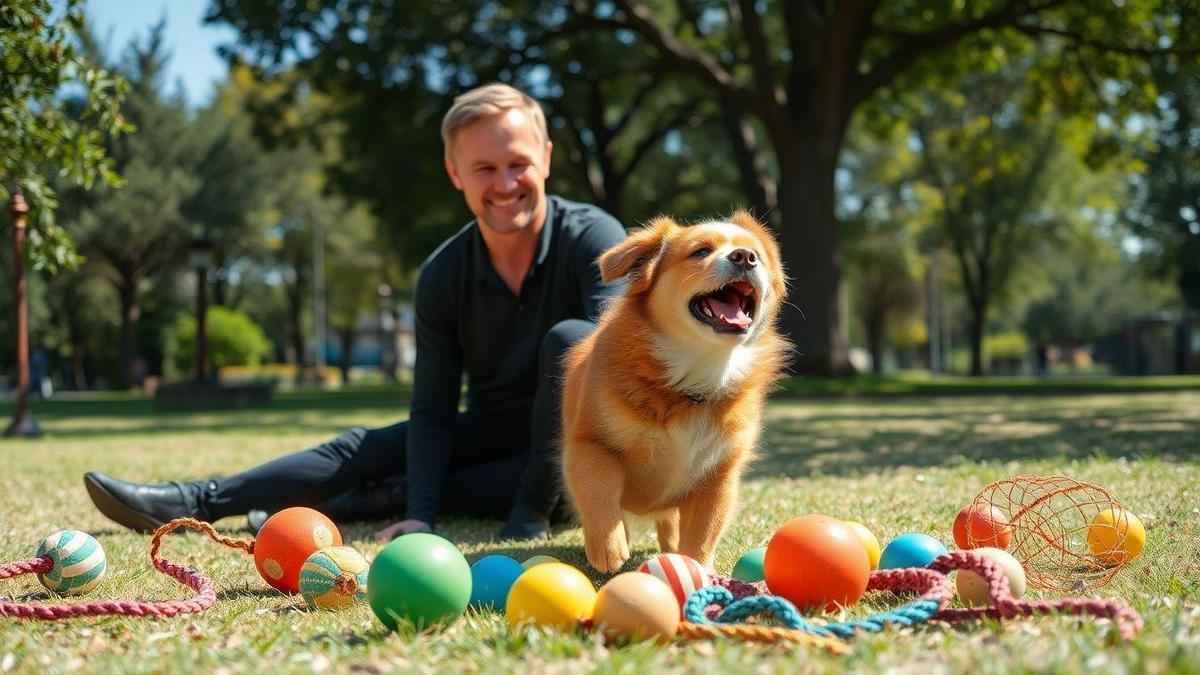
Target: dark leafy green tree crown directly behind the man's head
[{"x": 634, "y": 142}]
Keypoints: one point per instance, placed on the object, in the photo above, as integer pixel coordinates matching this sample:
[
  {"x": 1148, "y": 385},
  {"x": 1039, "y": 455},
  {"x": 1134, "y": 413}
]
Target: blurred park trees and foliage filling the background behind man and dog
[{"x": 961, "y": 187}]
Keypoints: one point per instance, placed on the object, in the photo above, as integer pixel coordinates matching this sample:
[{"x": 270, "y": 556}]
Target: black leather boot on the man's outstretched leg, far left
[{"x": 140, "y": 506}]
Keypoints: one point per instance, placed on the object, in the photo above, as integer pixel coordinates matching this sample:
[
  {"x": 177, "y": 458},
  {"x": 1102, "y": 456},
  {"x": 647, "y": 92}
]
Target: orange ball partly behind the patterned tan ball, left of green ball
[{"x": 286, "y": 542}]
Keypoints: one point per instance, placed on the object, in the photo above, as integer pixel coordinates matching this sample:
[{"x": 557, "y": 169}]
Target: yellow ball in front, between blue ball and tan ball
[{"x": 551, "y": 594}]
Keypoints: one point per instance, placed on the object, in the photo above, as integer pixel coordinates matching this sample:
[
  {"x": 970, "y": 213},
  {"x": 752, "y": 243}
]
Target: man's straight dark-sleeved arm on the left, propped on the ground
[{"x": 437, "y": 383}]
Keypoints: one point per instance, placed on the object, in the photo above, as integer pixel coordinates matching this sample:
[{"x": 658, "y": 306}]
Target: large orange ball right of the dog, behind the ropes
[{"x": 818, "y": 561}]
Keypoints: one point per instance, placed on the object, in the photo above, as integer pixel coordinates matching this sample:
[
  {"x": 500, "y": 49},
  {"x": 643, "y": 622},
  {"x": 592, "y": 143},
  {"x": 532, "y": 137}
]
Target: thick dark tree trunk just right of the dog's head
[{"x": 809, "y": 241}]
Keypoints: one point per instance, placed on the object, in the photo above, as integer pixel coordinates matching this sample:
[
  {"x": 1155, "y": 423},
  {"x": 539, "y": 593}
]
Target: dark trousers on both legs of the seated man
[{"x": 495, "y": 458}]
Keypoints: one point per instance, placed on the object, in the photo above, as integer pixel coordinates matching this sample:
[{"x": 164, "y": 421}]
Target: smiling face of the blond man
[{"x": 501, "y": 165}]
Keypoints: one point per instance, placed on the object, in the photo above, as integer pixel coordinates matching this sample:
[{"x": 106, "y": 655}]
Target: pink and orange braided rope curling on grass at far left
[{"x": 205, "y": 594}]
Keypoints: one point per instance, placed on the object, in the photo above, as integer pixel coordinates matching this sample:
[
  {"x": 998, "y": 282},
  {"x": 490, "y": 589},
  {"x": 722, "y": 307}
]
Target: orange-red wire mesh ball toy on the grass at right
[{"x": 1048, "y": 524}]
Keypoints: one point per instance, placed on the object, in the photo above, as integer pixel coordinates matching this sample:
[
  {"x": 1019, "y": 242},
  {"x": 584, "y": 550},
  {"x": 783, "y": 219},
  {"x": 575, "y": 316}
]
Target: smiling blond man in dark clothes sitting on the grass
[{"x": 500, "y": 303}]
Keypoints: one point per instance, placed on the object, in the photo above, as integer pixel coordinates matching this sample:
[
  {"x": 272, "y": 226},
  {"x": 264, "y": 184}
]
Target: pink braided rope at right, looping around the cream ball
[{"x": 934, "y": 586}]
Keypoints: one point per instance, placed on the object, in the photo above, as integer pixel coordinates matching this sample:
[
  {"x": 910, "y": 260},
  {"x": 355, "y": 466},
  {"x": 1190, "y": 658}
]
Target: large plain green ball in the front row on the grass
[{"x": 419, "y": 580}]
